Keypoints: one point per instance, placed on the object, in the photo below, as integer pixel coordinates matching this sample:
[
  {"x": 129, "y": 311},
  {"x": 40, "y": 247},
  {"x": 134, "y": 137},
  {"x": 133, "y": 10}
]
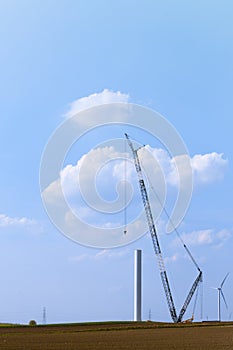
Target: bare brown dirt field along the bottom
[{"x": 118, "y": 336}]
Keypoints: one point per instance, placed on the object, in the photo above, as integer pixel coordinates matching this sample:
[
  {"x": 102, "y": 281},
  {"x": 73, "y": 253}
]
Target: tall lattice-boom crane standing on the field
[{"x": 152, "y": 229}]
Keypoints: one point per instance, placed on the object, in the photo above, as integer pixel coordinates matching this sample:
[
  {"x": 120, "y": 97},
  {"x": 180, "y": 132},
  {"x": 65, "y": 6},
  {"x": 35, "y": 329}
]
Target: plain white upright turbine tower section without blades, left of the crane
[{"x": 137, "y": 285}]
